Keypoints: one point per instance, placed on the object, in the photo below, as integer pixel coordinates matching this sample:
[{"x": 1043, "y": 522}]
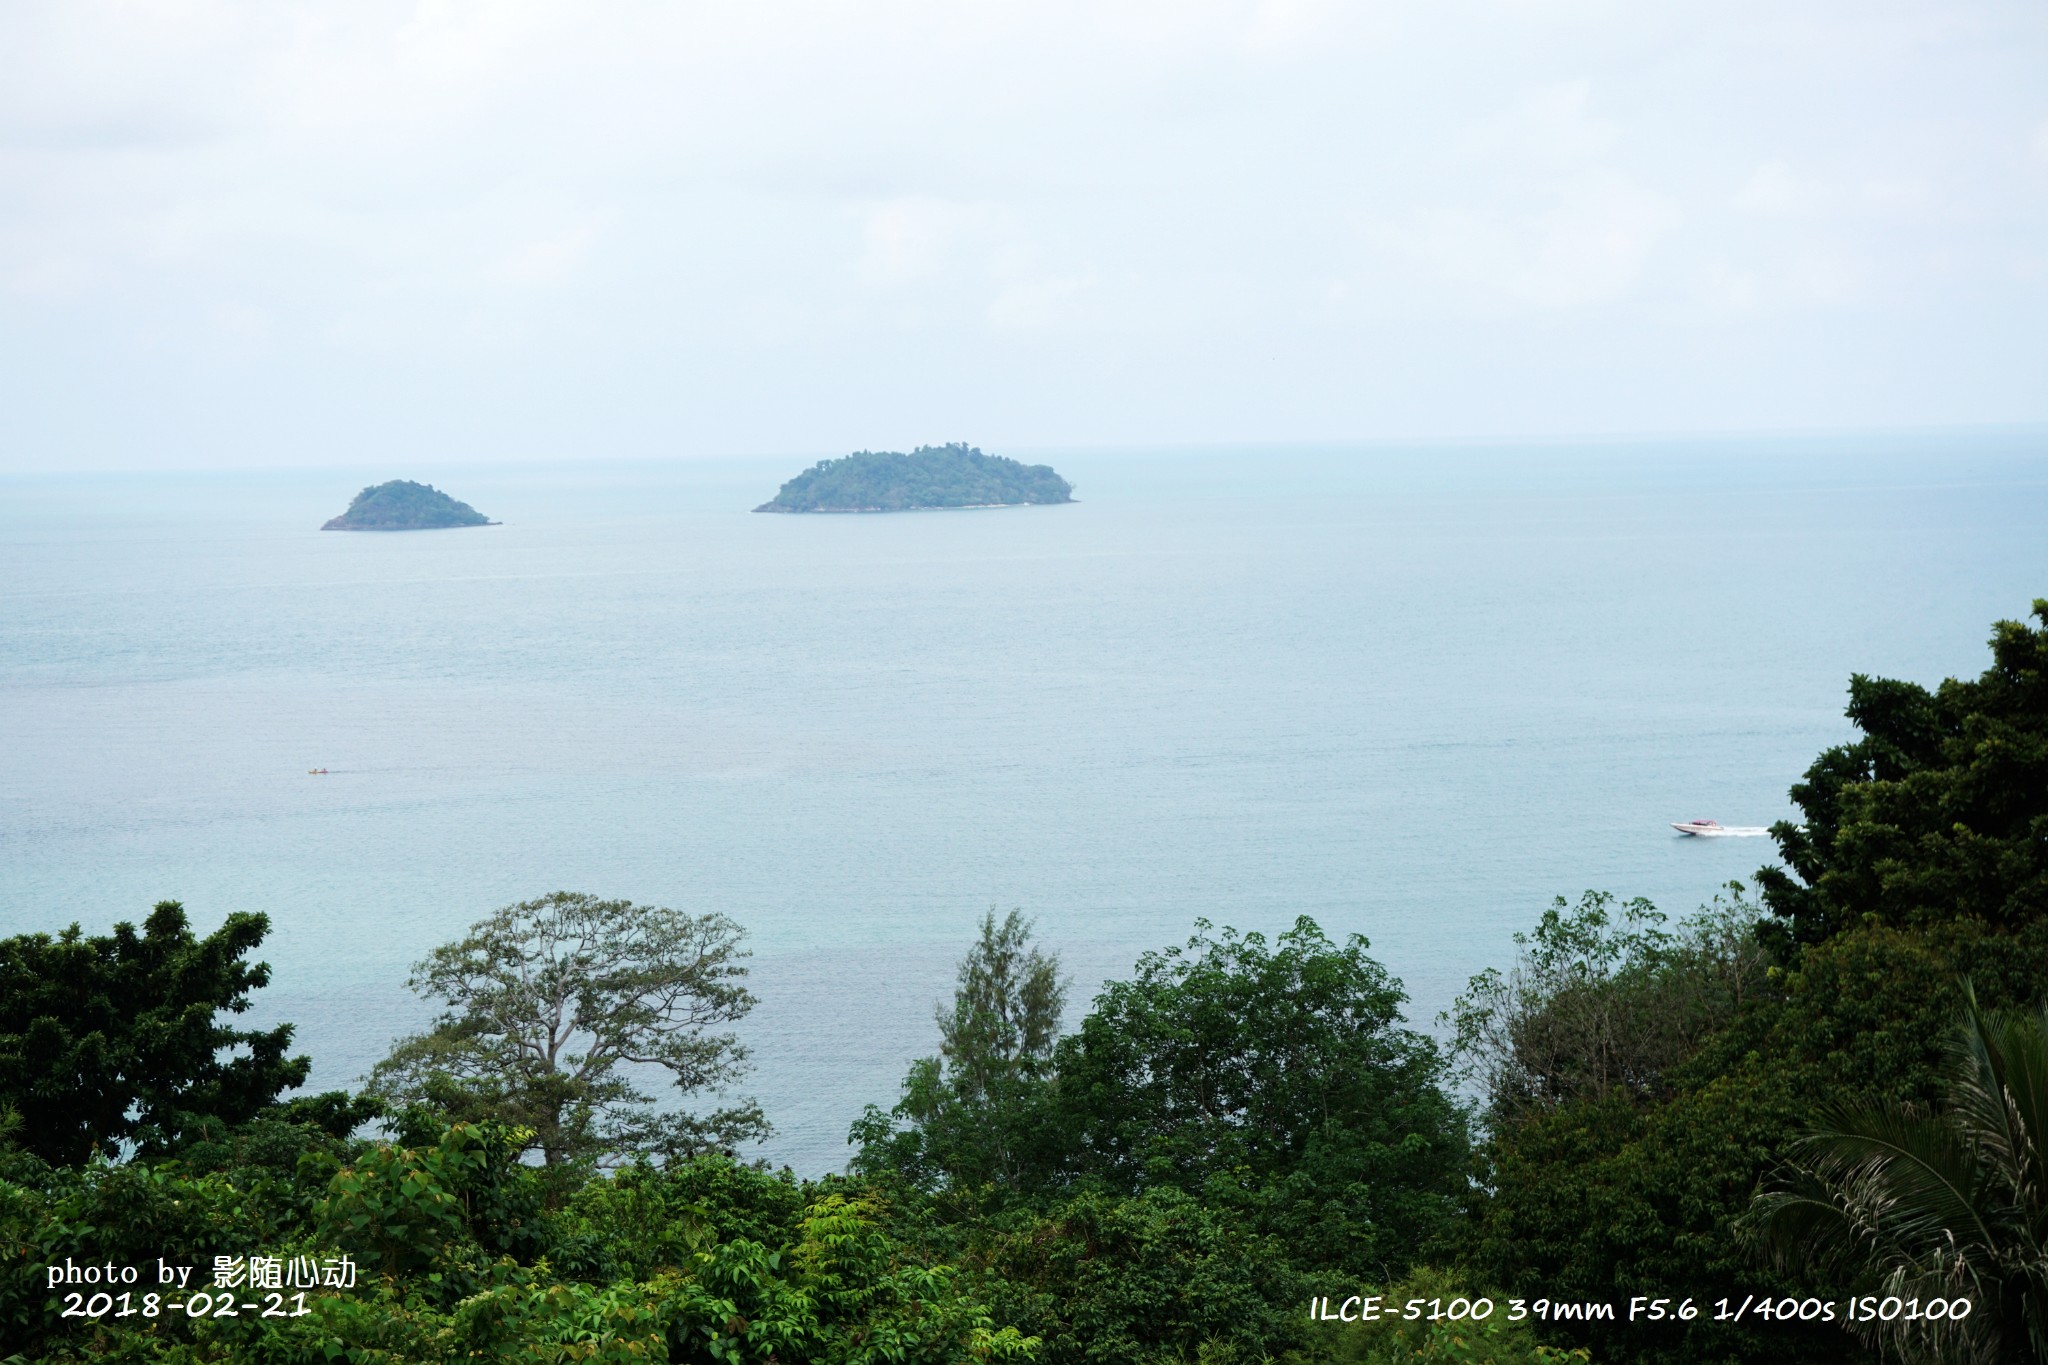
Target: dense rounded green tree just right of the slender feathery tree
[{"x": 1275, "y": 1082}]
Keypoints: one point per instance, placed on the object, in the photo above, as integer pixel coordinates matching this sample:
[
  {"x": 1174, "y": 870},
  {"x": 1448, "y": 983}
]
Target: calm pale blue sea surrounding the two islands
[{"x": 1408, "y": 693}]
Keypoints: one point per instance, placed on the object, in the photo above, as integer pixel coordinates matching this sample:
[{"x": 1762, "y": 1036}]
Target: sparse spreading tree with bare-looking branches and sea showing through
[{"x": 550, "y": 1006}]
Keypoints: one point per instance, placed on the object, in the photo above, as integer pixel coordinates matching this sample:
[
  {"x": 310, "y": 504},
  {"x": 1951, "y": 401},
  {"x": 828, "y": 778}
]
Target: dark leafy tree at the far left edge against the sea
[{"x": 114, "y": 1041}]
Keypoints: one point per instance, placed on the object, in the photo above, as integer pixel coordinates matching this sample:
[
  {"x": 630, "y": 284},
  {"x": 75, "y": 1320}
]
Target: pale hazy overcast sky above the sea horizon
[{"x": 284, "y": 234}]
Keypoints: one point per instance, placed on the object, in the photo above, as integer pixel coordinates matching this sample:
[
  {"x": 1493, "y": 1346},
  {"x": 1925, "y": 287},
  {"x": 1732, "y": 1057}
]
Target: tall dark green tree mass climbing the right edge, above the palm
[{"x": 1920, "y": 861}]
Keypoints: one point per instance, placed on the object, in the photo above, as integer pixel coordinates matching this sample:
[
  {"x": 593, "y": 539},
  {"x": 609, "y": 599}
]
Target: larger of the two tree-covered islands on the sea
[{"x": 929, "y": 478}]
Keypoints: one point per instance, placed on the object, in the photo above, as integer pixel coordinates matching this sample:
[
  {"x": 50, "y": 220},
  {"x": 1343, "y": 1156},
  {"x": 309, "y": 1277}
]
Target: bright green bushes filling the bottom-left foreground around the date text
[{"x": 460, "y": 1262}]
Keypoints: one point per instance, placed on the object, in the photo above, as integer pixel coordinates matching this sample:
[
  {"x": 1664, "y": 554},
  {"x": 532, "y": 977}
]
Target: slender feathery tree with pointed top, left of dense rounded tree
[{"x": 974, "y": 1116}]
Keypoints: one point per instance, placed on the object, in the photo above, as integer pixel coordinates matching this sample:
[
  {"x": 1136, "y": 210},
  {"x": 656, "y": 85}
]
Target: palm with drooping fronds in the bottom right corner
[{"x": 1936, "y": 1204}]
